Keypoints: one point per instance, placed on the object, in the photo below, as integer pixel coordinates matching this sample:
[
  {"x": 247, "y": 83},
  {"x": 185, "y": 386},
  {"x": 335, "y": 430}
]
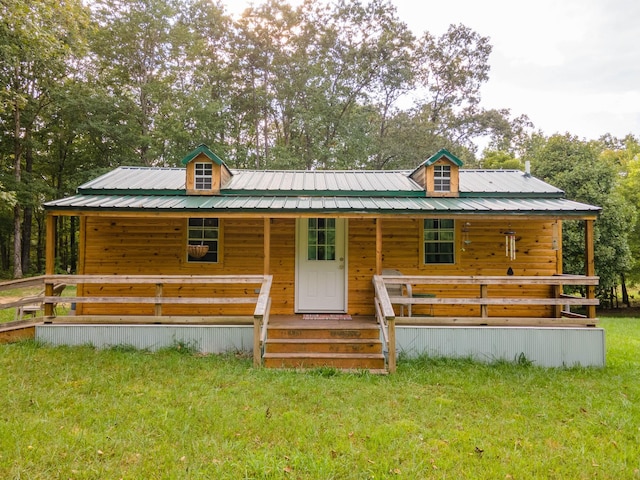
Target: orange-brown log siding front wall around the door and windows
[{"x": 157, "y": 246}]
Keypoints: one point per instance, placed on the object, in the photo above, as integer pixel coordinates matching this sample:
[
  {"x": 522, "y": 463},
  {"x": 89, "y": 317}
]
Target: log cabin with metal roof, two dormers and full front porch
[{"x": 419, "y": 261}]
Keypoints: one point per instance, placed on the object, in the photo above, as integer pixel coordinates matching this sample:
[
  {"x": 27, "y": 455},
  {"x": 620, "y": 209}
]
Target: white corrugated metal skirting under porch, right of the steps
[{"x": 547, "y": 347}]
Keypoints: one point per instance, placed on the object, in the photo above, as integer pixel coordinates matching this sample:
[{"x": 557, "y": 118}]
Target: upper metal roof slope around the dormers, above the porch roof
[{"x": 387, "y": 183}]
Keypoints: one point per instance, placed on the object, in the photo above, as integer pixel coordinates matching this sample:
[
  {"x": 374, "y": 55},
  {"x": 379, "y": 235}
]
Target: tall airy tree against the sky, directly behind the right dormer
[{"x": 447, "y": 74}]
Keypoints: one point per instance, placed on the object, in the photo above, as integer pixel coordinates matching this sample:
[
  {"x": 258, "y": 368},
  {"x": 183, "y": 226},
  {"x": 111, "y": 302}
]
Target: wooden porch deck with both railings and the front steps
[{"x": 361, "y": 343}]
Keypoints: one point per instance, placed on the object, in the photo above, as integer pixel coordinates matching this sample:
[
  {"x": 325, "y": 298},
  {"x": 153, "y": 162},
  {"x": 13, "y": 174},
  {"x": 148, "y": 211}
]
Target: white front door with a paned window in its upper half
[{"x": 321, "y": 265}]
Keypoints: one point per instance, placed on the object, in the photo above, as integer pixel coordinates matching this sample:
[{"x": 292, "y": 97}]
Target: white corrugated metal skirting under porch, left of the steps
[{"x": 203, "y": 338}]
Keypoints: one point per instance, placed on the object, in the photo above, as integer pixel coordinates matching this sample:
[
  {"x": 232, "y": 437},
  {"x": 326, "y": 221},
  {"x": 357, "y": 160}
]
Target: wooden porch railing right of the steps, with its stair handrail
[{"x": 490, "y": 293}]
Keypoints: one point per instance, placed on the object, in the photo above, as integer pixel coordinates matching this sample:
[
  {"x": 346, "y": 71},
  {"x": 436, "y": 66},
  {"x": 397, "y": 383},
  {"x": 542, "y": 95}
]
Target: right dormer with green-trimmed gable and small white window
[{"x": 439, "y": 175}]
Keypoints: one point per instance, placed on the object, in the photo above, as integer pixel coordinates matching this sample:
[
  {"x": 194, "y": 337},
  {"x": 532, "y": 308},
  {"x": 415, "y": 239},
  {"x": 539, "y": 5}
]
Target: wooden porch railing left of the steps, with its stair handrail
[{"x": 261, "y": 297}]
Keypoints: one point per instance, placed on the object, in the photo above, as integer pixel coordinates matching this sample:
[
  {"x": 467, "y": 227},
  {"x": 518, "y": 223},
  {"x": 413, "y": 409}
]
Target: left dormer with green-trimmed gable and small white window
[{"x": 206, "y": 172}]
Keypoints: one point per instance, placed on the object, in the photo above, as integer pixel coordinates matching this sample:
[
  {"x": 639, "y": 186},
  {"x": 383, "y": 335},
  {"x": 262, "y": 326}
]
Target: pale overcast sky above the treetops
[{"x": 569, "y": 65}]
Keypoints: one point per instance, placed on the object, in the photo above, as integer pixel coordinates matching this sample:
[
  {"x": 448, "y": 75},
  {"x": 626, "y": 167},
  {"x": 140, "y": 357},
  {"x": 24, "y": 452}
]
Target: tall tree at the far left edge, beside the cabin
[{"x": 38, "y": 40}]
